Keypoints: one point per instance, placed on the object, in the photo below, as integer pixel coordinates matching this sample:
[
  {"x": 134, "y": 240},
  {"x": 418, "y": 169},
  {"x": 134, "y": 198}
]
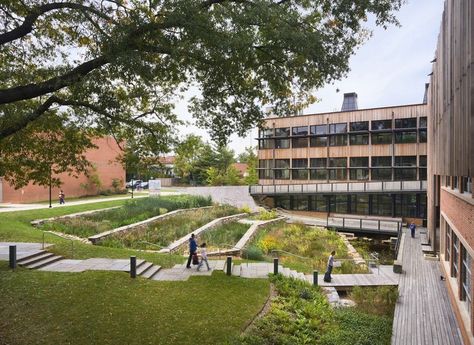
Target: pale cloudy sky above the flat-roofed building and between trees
[{"x": 391, "y": 68}]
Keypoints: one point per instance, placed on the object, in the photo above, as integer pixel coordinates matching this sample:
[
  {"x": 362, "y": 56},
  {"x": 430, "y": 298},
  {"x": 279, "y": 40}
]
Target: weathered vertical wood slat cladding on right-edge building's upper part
[{"x": 451, "y": 105}]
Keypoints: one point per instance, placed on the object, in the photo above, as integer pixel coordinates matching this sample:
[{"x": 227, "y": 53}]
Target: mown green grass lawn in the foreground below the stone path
[{"x": 110, "y": 308}]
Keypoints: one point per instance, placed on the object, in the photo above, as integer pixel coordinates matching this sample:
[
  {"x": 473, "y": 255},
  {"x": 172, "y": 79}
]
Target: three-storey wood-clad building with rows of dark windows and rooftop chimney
[{"x": 369, "y": 162}]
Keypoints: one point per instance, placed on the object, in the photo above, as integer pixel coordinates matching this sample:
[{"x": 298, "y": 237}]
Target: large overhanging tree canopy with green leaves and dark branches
[{"x": 93, "y": 67}]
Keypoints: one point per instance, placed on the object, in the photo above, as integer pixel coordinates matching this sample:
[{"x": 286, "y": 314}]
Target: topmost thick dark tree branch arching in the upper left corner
[{"x": 27, "y": 26}]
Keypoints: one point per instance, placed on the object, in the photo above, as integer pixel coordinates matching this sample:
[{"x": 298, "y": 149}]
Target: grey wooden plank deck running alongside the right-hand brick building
[{"x": 423, "y": 314}]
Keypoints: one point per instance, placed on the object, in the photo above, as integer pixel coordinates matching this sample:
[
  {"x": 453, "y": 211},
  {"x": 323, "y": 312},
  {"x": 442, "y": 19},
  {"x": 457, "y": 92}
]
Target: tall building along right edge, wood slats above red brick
[{"x": 451, "y": 157}]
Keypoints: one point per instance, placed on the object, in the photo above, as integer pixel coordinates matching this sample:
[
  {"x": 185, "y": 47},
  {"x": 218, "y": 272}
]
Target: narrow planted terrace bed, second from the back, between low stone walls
[{"x": 160, "y": 234}]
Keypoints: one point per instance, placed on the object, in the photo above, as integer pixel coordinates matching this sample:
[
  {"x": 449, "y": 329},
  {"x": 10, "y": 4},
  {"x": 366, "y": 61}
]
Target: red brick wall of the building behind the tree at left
[{"x": 103, "y": 158}]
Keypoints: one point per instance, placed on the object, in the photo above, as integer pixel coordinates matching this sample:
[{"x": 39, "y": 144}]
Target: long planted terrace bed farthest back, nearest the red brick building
[{"x": 132, "y": 212}]
